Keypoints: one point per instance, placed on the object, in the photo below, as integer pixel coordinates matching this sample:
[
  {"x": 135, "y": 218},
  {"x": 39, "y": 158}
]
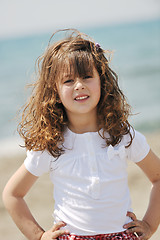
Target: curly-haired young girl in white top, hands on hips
[{"x": 75, "y": 127}]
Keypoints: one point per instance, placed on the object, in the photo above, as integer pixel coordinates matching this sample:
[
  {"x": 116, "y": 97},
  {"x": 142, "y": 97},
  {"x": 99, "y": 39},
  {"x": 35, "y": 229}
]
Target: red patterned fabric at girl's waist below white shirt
[{"x": 110, "y": 236}]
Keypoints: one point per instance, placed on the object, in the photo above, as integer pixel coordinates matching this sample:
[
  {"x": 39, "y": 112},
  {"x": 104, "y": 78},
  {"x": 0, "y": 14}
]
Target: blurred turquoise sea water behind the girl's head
[{"x": 136, "y": 60}]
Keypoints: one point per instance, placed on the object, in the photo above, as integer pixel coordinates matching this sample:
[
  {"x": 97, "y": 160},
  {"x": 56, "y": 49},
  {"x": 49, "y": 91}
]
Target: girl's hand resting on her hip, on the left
[{"x": 54, "y": 232}]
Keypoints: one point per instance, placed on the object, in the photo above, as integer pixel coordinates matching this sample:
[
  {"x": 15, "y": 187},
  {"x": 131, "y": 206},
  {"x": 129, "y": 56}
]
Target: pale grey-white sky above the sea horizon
[{"x": 23, "y": 17}]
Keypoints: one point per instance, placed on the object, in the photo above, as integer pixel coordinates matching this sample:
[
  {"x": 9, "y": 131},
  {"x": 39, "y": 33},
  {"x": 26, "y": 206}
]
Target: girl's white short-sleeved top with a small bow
[{"x": 90, "y": 181}]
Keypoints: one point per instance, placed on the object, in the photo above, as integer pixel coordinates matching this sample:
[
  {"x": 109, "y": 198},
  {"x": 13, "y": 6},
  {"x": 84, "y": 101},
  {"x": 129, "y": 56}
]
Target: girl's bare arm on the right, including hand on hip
[{"x": 151, "y": 167}]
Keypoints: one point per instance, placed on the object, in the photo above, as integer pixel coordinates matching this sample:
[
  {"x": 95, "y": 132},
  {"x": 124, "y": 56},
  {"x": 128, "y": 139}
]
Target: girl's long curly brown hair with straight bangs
[{"x": 44, "y": 118}]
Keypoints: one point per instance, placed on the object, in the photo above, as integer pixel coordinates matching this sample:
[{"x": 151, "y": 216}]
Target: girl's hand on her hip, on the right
[{"x": 142, "y": 228}]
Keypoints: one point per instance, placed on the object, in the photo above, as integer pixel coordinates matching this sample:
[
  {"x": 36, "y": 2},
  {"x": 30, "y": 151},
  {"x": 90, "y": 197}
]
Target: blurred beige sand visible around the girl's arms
[{"x": 40, "y": 198}]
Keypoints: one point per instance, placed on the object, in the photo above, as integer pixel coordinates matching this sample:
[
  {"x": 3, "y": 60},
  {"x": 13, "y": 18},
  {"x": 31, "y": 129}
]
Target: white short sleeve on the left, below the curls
[{"x": 37, "y": 162}]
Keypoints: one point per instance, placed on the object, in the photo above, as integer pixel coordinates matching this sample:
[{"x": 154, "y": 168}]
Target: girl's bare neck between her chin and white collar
[{"x": 83, "y": 123}]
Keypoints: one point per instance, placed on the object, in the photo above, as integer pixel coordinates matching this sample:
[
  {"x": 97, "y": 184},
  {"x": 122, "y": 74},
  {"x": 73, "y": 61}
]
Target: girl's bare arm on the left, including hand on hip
[{"x": 13, "y": 194}]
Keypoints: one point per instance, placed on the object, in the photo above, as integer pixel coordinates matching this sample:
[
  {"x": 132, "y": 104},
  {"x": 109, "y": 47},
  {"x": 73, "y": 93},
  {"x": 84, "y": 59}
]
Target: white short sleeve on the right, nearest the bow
[{"x": 139, "y": 148}]
